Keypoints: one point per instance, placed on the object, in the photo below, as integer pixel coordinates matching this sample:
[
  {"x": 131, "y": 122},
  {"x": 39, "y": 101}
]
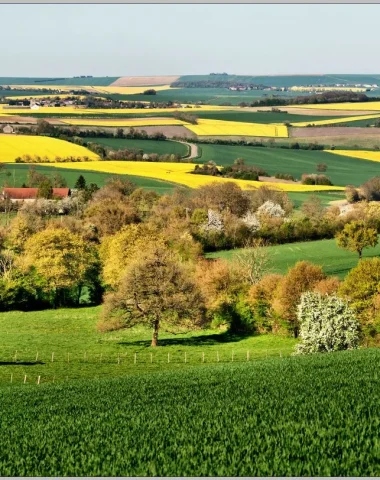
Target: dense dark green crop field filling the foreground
[{"x": 311, "y": 416}]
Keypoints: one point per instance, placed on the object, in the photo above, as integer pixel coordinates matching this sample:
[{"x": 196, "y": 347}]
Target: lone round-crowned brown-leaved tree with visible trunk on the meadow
[{"x": 156, "y": 291}]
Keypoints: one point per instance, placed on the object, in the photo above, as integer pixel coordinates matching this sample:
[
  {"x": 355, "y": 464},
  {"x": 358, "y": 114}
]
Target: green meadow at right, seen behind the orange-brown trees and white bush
[{"x": 334, "y": 260}]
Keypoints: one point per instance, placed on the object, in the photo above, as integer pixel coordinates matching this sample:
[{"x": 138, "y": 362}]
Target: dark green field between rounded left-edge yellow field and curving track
[{"x": 148, "y": 146}]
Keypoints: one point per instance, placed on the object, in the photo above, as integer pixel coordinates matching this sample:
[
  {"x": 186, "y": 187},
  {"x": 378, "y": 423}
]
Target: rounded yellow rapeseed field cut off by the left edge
[{"x": 13, "y": 146}]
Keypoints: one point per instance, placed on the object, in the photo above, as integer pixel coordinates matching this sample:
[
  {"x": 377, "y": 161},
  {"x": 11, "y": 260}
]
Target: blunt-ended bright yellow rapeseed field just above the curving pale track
[{"x": 220, "y": 127}]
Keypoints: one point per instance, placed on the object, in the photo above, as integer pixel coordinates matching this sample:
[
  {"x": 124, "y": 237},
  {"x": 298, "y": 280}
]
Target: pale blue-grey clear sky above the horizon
[{"x": 172, "y": 39}]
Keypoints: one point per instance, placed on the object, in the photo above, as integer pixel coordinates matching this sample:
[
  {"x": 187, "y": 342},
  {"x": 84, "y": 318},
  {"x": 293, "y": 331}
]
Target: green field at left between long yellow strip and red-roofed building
[{"x": 19, "y": 175}]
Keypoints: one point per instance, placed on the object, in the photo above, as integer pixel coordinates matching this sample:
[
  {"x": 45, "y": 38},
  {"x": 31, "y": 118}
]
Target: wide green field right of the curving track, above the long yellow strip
[{"x": 342, "y": 170}]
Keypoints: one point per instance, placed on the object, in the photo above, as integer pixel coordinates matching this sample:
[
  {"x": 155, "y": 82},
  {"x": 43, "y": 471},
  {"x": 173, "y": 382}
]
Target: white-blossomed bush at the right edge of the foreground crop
[{"x": 327, "y": 324}]
